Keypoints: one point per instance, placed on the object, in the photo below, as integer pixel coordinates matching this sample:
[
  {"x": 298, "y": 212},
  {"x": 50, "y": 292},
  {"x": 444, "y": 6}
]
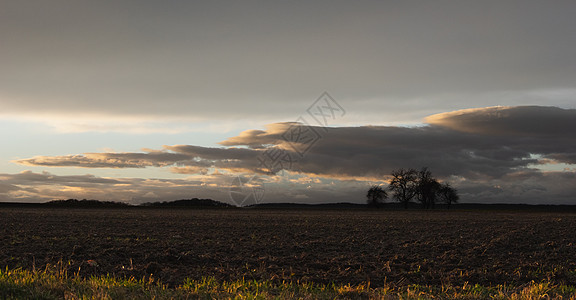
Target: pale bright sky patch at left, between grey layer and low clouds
[{"x": 29, "y": 139}]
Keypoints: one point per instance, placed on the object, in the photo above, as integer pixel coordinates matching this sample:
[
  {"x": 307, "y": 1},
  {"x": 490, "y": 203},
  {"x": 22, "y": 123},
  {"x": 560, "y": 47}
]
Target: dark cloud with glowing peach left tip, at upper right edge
[{"x": 546, "y": 131}]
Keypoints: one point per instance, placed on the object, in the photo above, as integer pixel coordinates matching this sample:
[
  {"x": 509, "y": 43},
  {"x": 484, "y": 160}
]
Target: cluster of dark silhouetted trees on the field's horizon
[{"x": 408, "y": 185}]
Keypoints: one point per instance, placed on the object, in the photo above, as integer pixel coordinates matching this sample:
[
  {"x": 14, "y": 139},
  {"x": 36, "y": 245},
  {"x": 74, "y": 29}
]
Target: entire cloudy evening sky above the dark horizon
[{"x": 300, "y": 101}]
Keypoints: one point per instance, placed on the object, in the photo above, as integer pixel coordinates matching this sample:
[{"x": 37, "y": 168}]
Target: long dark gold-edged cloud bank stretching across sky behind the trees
[{"x": 484, "y": 147}]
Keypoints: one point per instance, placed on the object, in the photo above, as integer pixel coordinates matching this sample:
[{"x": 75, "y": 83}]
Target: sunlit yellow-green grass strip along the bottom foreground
[{"x": 55, "y": 283}]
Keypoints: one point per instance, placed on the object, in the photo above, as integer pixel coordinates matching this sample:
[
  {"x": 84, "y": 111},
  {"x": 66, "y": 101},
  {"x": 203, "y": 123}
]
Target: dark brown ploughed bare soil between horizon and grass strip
[{"x": 392, "y": 247}]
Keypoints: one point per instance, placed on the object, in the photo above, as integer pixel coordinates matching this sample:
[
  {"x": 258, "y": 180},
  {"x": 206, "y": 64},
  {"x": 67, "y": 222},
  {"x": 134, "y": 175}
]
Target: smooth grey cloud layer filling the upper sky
[{"x": 222, "y": 59}]
